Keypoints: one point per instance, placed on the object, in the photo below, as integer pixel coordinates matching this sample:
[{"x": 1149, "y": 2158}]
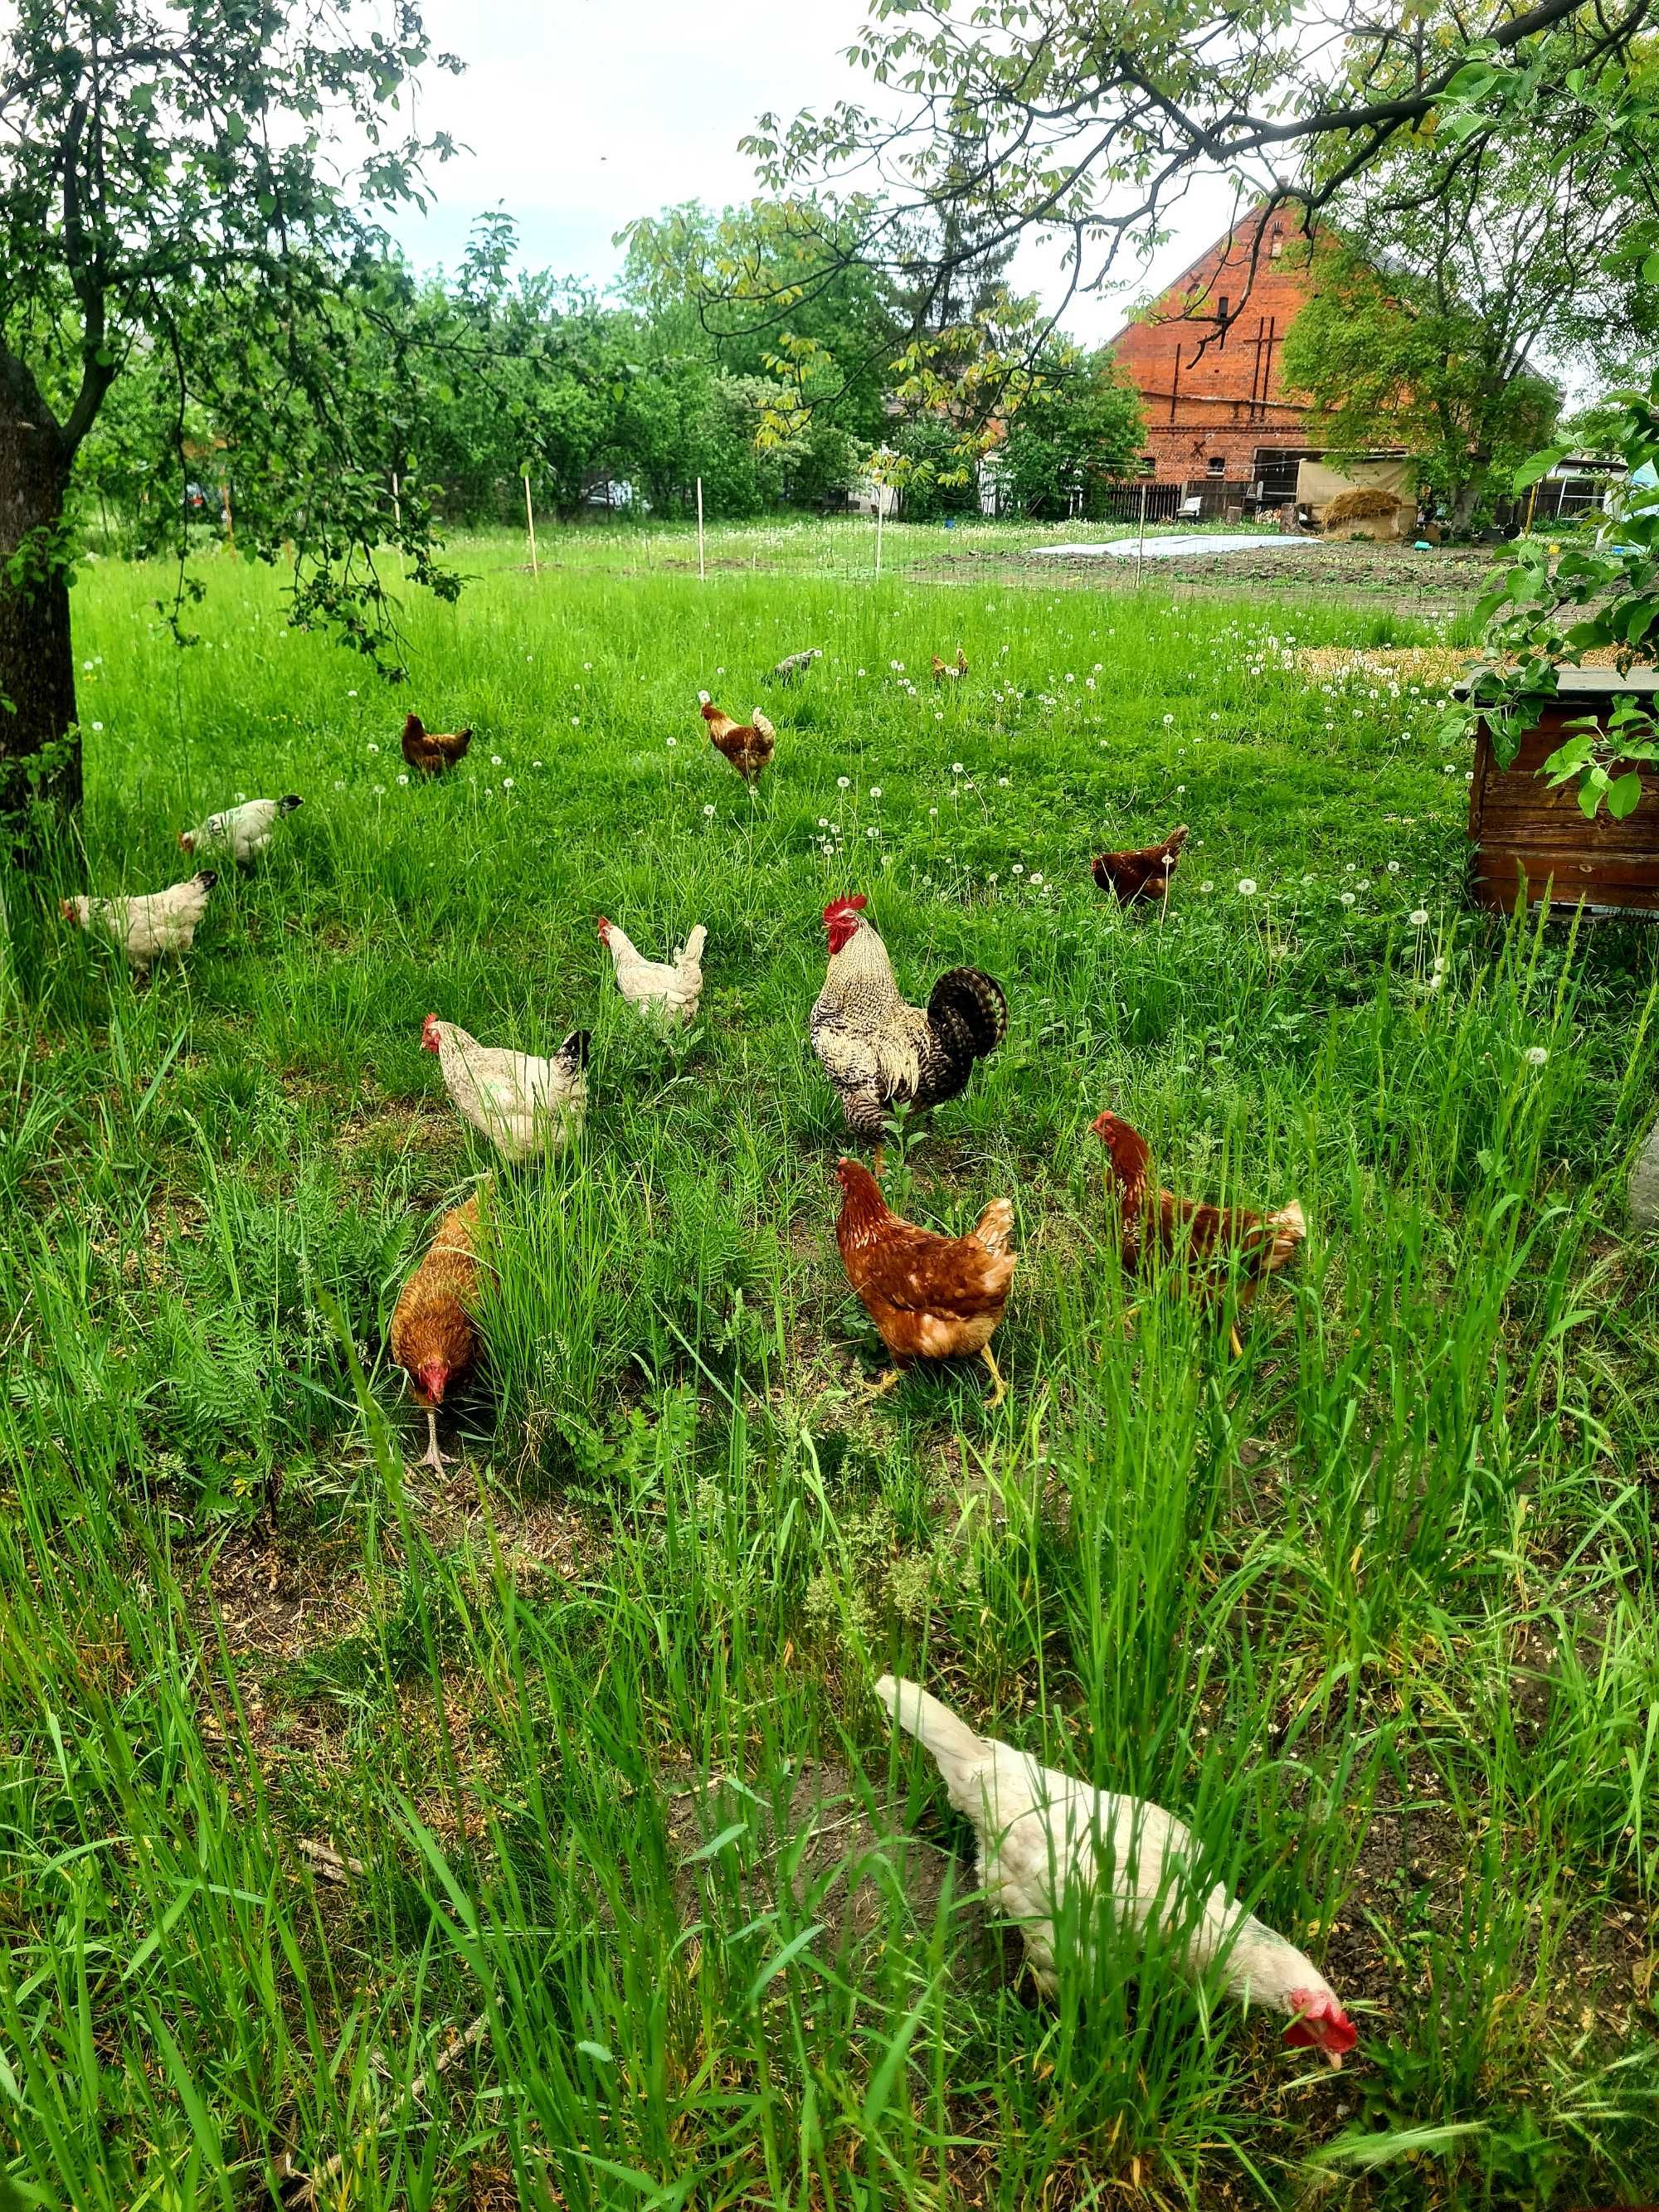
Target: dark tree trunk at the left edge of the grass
[{"x": 36, "y": 654}]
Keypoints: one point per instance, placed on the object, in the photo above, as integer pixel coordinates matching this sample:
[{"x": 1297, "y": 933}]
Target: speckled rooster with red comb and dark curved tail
[{"x": 881, "y": 1052}]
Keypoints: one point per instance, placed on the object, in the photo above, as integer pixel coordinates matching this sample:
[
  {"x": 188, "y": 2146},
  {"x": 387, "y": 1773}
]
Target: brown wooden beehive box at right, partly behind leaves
[{"x": 1534, "y": 837}]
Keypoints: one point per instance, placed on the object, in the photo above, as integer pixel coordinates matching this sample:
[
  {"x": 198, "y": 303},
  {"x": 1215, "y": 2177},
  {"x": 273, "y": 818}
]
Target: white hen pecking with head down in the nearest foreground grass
[{"x": 1043, "y": 1835}]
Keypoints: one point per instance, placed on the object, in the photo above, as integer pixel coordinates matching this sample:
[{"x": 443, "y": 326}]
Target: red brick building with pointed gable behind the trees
[{"x": 1209, "y": 366}]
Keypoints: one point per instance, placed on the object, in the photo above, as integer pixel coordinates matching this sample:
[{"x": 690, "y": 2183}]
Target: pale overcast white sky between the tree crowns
[{"x": 583, "y": 114}]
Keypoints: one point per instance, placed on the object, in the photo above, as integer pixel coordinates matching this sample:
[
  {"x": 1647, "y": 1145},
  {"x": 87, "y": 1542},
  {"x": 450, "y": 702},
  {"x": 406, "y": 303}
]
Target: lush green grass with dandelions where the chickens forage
[{"x": 1373, "y": 1609}]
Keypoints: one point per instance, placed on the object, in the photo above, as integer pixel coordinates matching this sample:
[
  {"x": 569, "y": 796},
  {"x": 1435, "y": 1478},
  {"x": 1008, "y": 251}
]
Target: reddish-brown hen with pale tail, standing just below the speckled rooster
[{"x": 932, "y": 1297}]
